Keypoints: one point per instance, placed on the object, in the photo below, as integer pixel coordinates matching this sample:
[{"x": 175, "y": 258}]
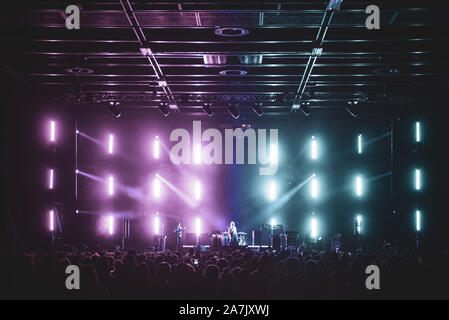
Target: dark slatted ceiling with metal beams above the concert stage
[{"x": 277, "y": 65}]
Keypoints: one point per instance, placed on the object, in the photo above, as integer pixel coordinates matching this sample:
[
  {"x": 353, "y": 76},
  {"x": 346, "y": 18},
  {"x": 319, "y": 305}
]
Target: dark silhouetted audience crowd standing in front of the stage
[{"x": 228, "y": 274}]
